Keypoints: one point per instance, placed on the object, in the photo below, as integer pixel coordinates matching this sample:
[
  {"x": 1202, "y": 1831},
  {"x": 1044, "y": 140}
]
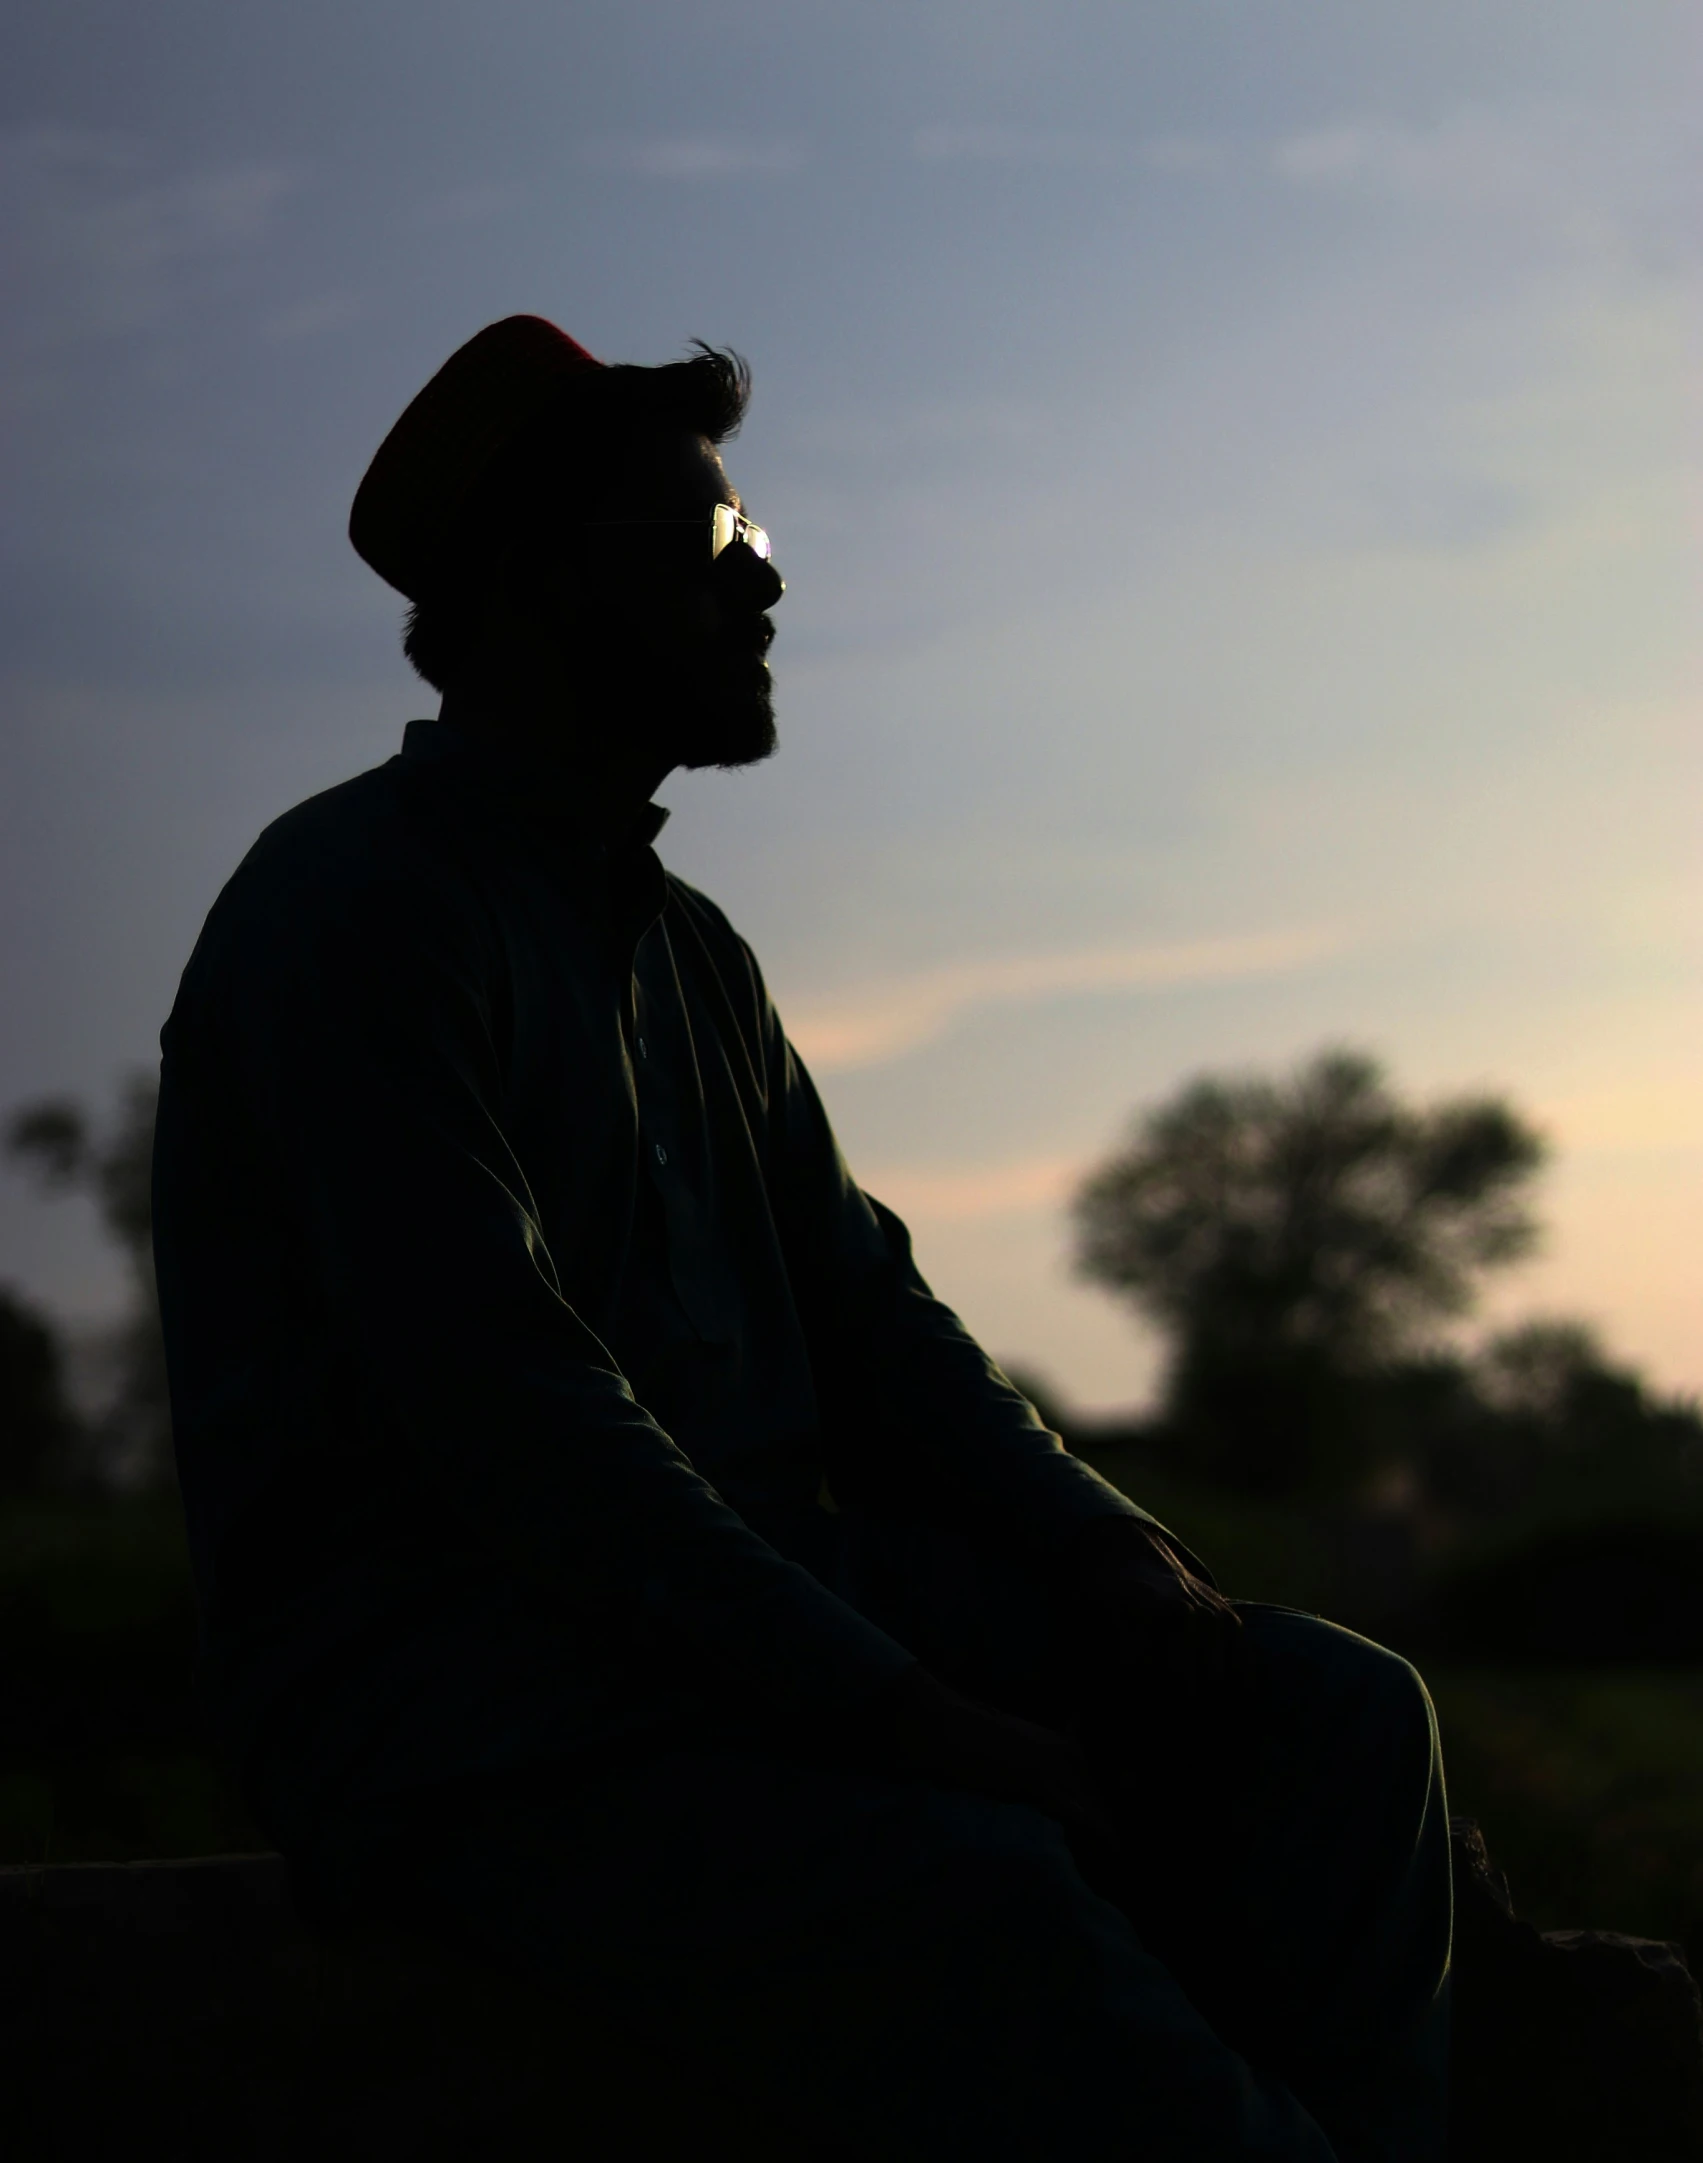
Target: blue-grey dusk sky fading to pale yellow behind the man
[{"x": 1237, "y": 477}]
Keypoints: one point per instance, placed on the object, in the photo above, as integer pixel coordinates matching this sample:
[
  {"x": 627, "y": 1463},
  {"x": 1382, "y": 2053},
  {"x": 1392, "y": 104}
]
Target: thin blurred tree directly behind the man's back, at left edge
[{"x": 60, "y": 1145}]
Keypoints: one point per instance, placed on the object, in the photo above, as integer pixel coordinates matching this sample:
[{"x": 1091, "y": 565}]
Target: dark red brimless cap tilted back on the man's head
[{"x": 430, "y": 466}]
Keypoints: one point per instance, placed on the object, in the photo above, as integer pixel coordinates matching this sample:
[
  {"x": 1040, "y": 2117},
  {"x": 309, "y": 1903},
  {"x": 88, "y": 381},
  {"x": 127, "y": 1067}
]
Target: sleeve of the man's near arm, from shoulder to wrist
[{"x": 356, "y": 1033}]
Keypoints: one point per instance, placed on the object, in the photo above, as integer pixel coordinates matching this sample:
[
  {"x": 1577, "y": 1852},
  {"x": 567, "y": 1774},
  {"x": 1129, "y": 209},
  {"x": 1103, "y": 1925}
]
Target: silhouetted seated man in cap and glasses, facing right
[{"x": 611, "y": 1554}]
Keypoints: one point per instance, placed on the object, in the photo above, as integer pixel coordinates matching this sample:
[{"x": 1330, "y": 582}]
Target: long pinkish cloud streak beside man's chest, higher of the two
[{"x": 893, "y": 1020}]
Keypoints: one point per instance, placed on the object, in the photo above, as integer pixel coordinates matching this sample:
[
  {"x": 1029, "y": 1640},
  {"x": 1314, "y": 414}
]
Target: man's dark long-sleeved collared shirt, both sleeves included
[{"x": 512, "y": 1282}]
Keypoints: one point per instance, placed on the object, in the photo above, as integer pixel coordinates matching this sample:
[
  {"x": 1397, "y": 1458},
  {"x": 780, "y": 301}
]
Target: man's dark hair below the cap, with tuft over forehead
[{"x": 585, "y": 434}]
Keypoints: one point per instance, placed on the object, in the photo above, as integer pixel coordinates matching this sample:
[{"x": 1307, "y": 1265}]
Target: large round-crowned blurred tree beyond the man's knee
[{"x": 1295, "y": 1240}]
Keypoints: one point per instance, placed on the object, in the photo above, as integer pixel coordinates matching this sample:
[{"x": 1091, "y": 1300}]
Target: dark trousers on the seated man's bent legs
[{"x": 927, "y": 1974}]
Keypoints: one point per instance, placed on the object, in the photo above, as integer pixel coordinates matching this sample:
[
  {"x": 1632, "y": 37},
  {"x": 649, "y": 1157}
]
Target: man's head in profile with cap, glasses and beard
[{"x": 575, "y": 583}]
